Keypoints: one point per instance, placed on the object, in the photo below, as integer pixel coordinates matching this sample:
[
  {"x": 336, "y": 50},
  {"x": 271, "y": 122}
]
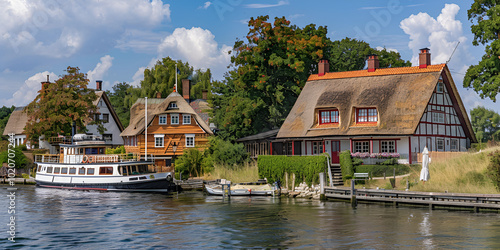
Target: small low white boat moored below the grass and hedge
[{"x": 242, "y": 189}]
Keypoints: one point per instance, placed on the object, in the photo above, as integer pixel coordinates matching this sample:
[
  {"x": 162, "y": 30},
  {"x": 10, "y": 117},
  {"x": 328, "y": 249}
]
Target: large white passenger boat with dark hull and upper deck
[{"x": 85, "y": 166}]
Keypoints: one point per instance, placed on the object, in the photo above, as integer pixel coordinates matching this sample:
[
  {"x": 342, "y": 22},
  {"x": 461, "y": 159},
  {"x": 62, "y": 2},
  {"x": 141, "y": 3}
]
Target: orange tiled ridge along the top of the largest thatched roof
[{"x": 378, "y": 72}]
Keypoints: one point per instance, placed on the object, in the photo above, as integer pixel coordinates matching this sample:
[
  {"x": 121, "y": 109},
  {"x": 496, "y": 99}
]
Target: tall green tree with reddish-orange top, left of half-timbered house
[{"x": 272, "y": 67}]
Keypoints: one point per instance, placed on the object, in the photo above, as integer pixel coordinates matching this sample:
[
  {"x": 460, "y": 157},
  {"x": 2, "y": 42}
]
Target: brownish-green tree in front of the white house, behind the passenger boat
[{"x": 59, "y": 104}]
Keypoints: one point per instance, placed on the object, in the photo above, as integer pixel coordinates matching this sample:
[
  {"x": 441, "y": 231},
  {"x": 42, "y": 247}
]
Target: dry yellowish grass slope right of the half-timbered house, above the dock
[{"x": 463, "y": 174}]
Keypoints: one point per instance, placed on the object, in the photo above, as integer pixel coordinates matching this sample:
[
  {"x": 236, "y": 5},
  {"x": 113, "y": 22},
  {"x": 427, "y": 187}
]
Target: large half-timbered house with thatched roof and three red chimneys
[{"x": 378, "y": 111}]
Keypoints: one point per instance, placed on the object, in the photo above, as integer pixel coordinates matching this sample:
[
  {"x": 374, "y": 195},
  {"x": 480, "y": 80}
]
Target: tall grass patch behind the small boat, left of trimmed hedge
[{"x": 249, "y": 172}]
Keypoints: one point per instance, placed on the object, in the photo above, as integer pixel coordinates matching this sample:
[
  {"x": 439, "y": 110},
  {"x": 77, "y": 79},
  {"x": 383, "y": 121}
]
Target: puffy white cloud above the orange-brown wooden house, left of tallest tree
[{"x": 198, "y": 47}]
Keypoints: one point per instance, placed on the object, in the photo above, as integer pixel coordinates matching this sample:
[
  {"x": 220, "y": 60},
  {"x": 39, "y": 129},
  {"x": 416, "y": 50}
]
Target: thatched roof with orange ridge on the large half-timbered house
[{"x": 399, "y": 94}]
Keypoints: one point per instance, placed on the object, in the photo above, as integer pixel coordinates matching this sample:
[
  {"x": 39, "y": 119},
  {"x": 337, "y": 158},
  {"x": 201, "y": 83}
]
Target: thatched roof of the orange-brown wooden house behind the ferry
[{"x": 157, "y": 107}]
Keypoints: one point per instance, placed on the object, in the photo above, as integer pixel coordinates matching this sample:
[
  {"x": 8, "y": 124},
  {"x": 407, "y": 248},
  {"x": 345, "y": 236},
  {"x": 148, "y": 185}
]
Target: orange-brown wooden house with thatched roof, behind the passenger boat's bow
[{"x": 171, "y": 123}]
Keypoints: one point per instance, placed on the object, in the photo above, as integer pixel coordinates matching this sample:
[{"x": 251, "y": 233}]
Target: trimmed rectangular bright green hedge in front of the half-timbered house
[{"x": 273, "y": 167}]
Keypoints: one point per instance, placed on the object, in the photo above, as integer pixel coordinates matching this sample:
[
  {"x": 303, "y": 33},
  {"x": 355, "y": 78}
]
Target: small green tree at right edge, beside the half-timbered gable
[{"x": 485, "y": 123}]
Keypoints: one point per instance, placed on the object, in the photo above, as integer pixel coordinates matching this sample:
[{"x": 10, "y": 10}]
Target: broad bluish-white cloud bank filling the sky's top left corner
[{"x": 59, "y": 29}]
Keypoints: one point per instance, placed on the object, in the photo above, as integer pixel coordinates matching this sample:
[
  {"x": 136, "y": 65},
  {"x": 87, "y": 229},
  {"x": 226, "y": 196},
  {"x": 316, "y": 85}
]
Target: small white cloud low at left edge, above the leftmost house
[{"x": 29, "y": 90}]
